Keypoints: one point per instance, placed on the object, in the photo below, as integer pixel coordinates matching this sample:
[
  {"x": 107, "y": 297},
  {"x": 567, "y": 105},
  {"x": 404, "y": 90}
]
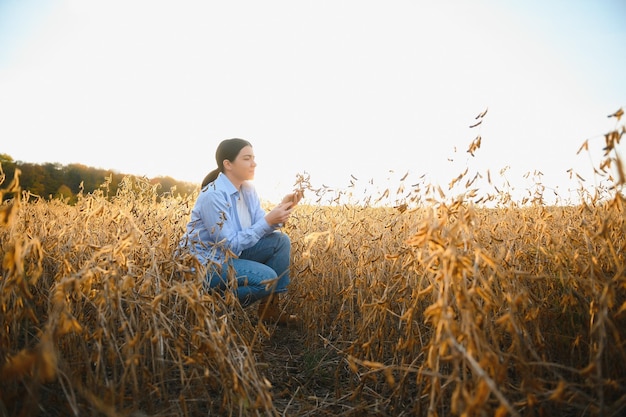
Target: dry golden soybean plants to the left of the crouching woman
[{"x": 98, "y": 306}]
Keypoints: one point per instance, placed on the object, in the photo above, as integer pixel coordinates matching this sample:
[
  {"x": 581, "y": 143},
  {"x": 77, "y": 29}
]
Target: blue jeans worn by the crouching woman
[{"x": 260, "y": 270}]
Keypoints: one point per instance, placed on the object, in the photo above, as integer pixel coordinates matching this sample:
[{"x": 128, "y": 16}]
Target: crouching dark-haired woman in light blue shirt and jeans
[{"x": 233, "y": 236}]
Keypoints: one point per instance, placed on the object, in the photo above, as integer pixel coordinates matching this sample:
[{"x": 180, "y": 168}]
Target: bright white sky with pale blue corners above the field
[{"x": 331, "y": 88}]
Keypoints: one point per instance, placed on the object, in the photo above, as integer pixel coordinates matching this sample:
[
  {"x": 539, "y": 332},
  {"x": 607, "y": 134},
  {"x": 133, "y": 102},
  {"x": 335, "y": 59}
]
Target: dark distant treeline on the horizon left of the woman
[{"x": 53, "y": 180}]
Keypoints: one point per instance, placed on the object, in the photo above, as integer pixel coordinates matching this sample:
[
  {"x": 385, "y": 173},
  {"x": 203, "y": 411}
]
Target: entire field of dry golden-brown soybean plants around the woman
[{"x": 414, "y": 301}]
